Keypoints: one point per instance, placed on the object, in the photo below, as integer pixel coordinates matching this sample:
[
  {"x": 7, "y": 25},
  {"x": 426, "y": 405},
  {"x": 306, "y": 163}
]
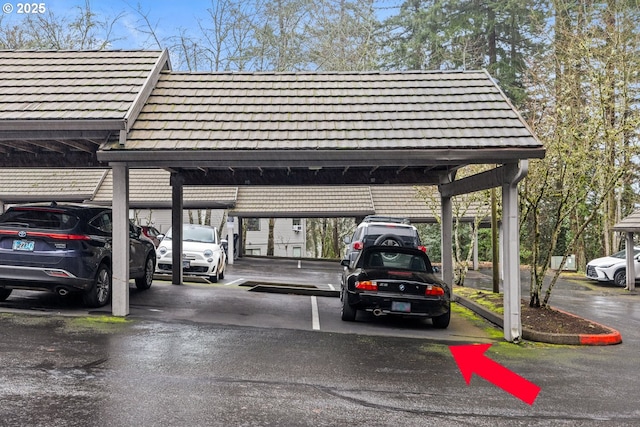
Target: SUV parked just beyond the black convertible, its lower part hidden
[{"x": 382, "y": 230}]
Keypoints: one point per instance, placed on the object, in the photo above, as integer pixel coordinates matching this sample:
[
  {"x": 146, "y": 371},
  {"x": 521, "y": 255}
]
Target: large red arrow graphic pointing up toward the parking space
[{"x": 471, "y": 359}]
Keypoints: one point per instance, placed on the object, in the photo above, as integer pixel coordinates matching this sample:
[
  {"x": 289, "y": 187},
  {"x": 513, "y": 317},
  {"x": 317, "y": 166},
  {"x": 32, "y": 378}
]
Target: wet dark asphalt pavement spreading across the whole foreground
[{"x": 64, "y": 366}]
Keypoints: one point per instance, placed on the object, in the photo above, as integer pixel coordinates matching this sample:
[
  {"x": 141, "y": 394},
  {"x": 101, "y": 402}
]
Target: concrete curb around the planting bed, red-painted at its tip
[{"x": 610, "y": 338}]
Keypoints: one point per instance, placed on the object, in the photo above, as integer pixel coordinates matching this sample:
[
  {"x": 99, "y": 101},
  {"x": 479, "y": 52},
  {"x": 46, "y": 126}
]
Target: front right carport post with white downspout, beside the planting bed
[{"x": 511, "y": 252}]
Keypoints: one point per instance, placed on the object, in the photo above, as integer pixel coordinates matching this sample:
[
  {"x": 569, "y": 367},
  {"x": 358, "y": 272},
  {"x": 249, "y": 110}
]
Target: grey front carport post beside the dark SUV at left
[{"x": 120, "y": 262}]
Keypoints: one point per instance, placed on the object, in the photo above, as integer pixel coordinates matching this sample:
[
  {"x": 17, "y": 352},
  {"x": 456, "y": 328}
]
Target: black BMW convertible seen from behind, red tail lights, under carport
[{"x": 394, "y": 280}]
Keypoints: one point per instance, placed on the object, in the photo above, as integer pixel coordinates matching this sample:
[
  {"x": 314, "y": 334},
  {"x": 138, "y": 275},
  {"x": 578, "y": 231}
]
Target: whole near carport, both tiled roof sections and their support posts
[{"x": 265, "y": 129}]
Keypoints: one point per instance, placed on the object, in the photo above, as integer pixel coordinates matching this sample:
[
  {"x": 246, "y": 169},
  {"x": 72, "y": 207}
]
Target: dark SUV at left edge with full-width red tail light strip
[{"x": 67, "y": 248}]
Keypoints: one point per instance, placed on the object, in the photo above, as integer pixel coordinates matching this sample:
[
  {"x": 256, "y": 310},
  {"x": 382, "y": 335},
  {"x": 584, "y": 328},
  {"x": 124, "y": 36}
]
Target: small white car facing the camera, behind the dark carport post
[{"x": 203, "y": 254}]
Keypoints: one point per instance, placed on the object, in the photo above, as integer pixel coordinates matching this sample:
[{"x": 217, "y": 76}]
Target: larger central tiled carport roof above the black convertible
[{"x": 346, "y": 128}]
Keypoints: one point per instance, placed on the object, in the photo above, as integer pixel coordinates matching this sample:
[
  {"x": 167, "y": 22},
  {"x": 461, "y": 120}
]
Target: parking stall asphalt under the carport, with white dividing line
[{"x": 258, "y": 292}]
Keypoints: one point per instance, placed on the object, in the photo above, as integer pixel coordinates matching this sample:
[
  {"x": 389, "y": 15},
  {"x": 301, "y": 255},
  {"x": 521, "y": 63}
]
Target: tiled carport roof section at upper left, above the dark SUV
[{"x": 57, "y": 107}]
